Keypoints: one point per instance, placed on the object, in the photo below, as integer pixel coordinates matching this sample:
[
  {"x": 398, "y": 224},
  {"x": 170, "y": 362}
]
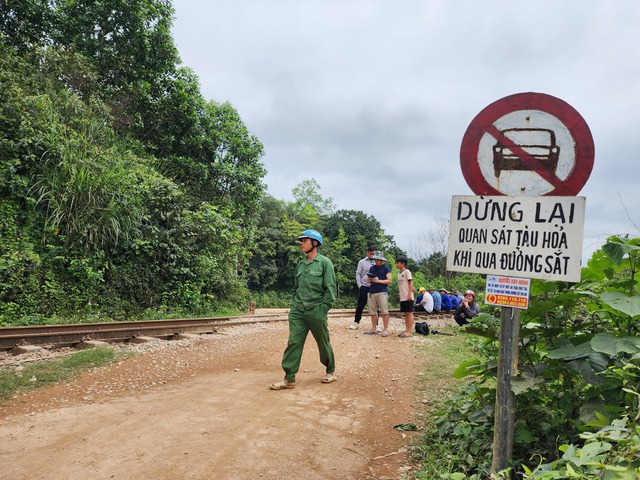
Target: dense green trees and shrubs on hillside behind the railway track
[{"x": 123, "y": 192}]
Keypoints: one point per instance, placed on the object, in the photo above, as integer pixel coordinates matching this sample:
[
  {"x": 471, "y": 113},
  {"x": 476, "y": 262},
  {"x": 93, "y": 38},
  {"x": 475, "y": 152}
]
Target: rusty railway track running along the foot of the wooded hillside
[{"x": 70, "y": 335}]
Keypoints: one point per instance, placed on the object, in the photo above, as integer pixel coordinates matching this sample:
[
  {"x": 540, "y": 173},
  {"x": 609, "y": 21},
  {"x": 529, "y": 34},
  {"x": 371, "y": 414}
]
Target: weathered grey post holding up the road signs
[{"x": 505, "y": 399}]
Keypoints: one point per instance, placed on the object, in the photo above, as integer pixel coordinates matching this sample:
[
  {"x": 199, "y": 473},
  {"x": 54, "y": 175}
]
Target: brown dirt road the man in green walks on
[{"x": 203, "y": 410}]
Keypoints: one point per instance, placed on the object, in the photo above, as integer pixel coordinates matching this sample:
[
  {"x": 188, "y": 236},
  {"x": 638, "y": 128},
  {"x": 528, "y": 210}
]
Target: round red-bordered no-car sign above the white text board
[{"x": 527, "y": 144}]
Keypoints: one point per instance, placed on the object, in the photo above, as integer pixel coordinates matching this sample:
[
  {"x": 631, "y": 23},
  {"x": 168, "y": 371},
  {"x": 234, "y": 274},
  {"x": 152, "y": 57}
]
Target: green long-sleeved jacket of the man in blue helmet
[{"x": 315, "y": 283}]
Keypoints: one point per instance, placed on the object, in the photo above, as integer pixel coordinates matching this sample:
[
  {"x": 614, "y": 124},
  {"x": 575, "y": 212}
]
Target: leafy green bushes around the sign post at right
[{"x": 577, "y": 387}]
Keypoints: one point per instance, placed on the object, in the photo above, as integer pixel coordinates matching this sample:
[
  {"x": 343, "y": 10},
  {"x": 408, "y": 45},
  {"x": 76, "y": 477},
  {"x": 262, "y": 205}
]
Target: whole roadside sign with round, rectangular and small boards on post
[{"x": 526, "y": 156}]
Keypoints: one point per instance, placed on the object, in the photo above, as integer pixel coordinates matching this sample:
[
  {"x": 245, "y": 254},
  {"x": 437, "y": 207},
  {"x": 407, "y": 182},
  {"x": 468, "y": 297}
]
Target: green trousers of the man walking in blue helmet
[{"x": 300, "y": 323}]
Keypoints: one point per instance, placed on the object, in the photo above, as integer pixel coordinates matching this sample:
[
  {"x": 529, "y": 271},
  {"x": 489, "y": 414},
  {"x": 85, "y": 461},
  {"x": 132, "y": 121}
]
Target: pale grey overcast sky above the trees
[{"x": 372, "y": 98}]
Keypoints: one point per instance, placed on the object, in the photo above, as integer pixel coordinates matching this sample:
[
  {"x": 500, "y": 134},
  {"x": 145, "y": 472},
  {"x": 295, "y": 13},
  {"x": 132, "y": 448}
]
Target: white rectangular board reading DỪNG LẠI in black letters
[{"x": 532, "y": 237}]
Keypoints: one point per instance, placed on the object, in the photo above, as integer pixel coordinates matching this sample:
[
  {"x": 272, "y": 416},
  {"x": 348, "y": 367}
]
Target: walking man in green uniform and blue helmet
[{"x": 314, "y": 292}]
